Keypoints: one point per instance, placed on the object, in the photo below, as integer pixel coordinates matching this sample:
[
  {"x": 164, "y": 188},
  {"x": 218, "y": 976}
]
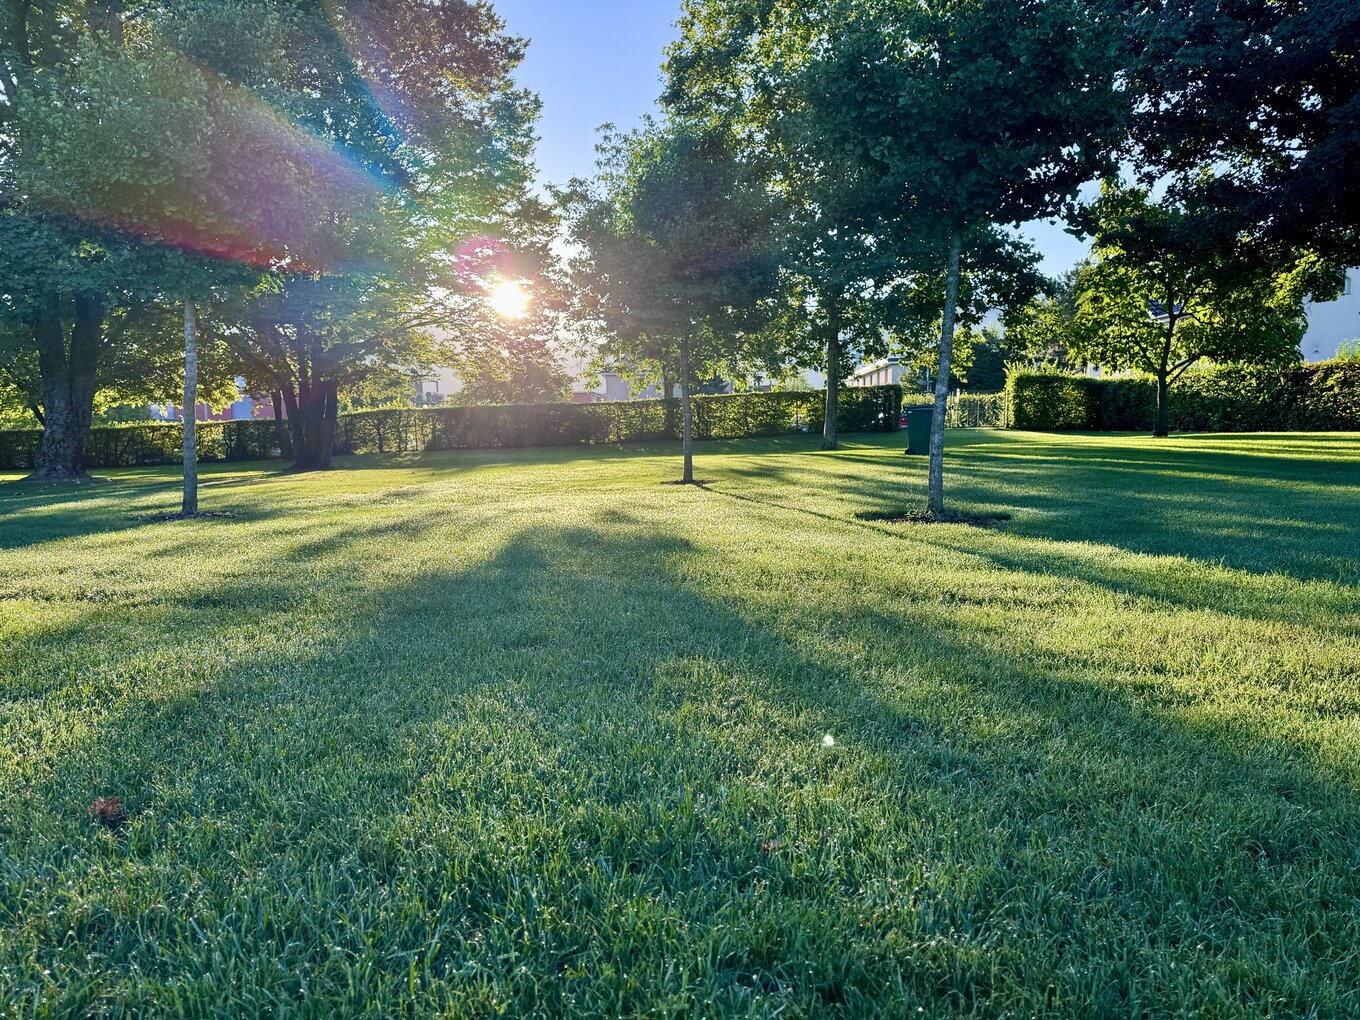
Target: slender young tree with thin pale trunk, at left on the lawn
[{"x": 146, "y": 202}]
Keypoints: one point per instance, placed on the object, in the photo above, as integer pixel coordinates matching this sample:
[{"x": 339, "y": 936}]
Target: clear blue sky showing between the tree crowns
[{"x": 598, "y": 62}]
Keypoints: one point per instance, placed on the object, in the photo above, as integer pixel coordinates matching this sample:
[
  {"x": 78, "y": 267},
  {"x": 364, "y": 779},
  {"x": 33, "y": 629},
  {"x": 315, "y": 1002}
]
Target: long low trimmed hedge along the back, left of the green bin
[{"x": 863, "y": 410}]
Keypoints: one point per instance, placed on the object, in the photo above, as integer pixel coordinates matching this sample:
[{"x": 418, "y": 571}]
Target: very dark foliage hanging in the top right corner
[{"x": 1249, "y": 109}]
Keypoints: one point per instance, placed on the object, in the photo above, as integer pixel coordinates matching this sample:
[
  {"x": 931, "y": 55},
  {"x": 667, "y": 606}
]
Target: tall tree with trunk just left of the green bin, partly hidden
[{"x": 738, "y": 65}]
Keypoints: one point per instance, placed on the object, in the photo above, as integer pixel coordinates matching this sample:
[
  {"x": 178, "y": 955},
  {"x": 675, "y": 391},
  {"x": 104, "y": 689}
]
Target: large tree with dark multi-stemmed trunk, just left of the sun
[{"x": 415, "y": 108}]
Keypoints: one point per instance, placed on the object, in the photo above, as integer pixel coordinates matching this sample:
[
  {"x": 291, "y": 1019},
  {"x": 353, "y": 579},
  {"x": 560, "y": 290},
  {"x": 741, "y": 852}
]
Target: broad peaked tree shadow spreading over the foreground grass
[{"x": 575, "y": 777}]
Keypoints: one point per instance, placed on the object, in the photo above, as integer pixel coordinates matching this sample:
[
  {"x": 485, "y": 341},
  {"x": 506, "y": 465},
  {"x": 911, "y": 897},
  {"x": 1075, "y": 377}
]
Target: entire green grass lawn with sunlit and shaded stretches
[{"x": 532, "y": 735}]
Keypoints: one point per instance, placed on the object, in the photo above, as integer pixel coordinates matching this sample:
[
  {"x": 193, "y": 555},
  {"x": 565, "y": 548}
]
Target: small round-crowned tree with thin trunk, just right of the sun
[{"x": 679, "y": 255}]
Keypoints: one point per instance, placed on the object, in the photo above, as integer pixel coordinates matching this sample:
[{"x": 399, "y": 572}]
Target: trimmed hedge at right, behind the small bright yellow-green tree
[{"x": 1231, "y": 399}]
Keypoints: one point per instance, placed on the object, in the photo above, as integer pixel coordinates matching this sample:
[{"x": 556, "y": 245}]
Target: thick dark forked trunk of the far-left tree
[{"x": 69, "y": 384}]
